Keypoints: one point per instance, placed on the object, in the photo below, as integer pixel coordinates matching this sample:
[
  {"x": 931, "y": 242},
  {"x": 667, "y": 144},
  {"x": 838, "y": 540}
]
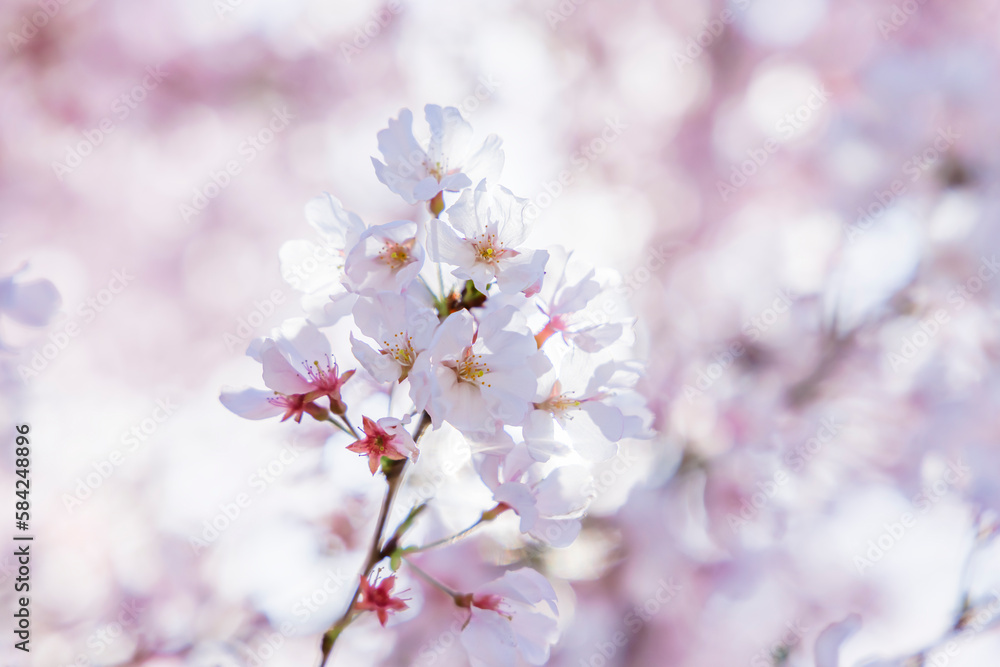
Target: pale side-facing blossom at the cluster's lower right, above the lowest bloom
[{"x": 549, "y": 507}]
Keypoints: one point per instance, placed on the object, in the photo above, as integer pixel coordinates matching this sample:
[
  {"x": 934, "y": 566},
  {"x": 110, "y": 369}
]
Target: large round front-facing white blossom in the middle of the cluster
[{"x": 478, "y": 375}]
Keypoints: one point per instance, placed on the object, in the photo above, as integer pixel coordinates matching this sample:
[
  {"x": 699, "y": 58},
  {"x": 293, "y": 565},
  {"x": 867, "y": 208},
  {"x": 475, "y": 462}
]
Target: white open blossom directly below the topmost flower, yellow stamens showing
[{"x": 485, "y": 240}]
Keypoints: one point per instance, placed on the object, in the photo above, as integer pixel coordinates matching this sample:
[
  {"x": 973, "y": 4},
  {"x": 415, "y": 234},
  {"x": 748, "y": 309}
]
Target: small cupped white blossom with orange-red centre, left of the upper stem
[{"x": 386, "y": 258}]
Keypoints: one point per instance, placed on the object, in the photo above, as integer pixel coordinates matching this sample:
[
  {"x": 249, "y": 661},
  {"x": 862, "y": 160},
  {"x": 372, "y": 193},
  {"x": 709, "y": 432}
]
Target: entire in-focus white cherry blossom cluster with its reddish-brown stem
[{"x": 453, "y": 321}]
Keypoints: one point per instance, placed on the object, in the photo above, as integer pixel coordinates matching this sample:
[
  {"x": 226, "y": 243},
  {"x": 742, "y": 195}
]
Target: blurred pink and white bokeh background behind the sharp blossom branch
[{"x": 800, "y": 195}]
